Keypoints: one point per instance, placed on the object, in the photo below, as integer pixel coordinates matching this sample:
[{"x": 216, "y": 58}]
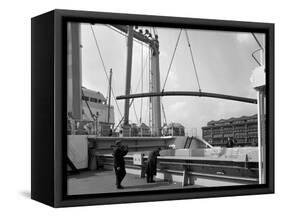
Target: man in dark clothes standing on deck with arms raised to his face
[{"x": 119, "y": 163}]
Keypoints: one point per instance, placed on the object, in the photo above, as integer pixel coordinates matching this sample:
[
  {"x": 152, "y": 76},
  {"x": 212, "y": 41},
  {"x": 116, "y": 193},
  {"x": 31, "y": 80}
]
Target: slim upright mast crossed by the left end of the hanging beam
[{"x": 128, "y": 73}]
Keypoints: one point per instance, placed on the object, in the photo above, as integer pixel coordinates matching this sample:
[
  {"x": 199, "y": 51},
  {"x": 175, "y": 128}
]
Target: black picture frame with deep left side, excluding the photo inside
[{"x": 48, "y": 70}]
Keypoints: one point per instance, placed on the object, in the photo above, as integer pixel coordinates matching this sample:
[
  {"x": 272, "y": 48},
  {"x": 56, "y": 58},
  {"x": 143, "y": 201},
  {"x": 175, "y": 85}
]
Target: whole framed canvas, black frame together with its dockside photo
[{"x": 135, "y": 108}]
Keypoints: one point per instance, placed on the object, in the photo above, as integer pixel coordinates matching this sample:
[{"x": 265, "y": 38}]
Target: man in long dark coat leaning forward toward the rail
[{"x": 151, "y": 167}]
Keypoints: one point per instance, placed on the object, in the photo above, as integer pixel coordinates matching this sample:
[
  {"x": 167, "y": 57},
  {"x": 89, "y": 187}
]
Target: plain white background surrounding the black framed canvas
[{"x": 15, "y": 106}]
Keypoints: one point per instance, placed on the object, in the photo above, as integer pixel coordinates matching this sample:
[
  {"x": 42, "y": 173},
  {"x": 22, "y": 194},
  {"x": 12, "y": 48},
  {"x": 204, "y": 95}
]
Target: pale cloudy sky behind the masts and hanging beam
[{"x": 223, "y": 61}]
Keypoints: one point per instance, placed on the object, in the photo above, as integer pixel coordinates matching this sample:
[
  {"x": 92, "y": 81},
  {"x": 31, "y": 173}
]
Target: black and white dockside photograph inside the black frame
[{"x": 154, "y": 108}]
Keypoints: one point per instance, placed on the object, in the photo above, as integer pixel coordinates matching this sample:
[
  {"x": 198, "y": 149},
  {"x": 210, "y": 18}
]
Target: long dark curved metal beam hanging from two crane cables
[{"x": 189, "y": 93}]
